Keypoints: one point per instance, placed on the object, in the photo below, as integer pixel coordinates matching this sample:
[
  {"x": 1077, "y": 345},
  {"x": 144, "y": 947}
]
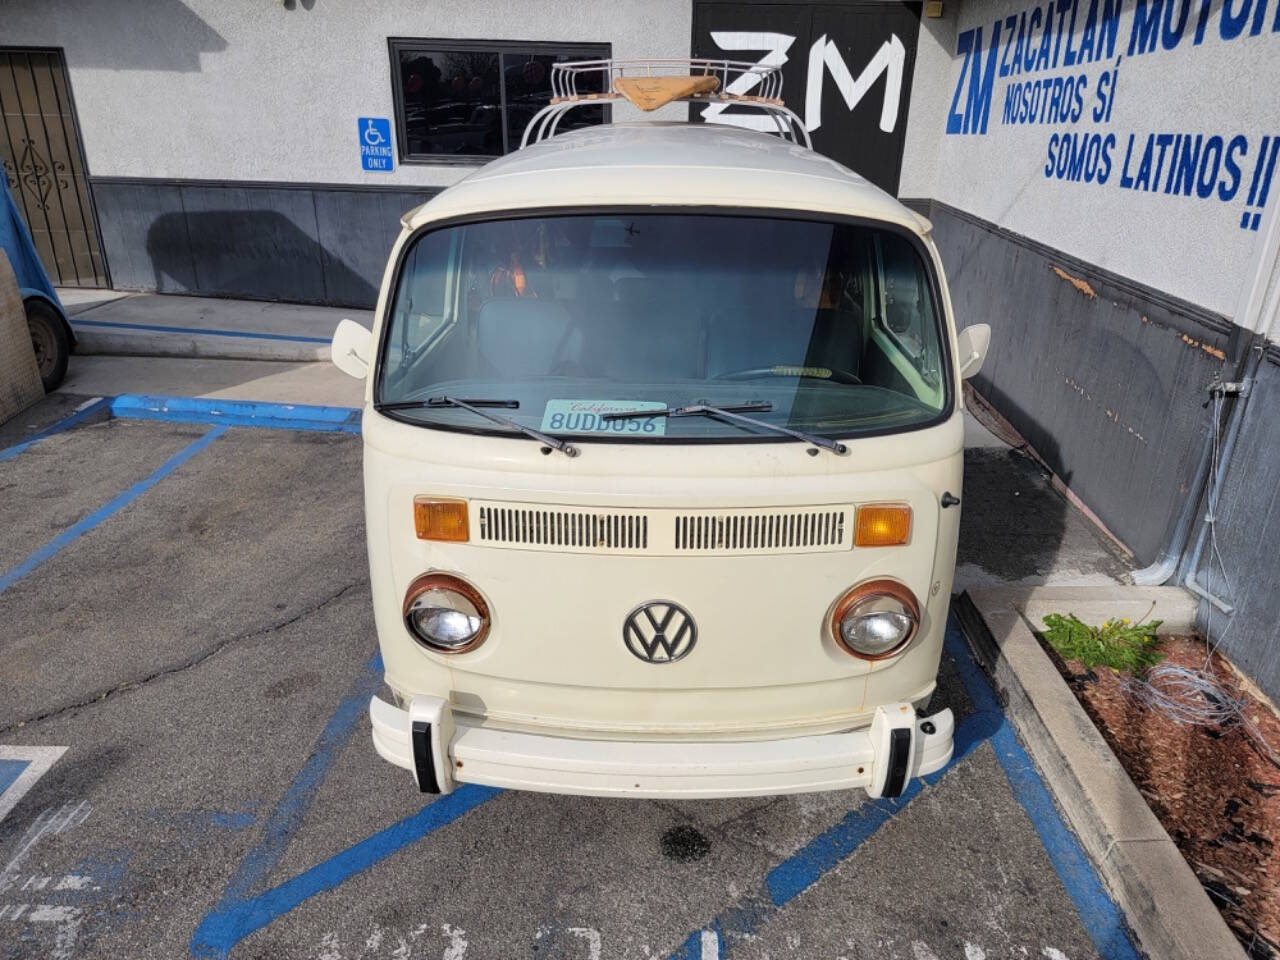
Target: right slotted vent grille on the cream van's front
[{"x": 761, "y": 532}]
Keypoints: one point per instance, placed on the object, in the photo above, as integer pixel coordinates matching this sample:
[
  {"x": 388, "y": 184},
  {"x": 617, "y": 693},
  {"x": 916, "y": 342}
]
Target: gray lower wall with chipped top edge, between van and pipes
[{"x": 1107, "y": 381}]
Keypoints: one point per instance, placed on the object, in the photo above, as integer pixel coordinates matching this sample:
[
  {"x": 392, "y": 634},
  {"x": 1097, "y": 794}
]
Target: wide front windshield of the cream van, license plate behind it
[{"x": 833, "y": 326}]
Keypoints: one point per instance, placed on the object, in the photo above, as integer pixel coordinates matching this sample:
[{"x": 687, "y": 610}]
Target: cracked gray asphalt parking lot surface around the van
[{"x": 198, "y": 652}]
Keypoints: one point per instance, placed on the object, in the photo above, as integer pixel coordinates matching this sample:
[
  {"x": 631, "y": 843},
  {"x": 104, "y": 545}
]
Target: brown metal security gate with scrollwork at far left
[{"x": 40, "y": 150}]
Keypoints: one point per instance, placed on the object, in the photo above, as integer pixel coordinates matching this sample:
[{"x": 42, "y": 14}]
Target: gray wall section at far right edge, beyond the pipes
[{"x": 1247, "y": 533}]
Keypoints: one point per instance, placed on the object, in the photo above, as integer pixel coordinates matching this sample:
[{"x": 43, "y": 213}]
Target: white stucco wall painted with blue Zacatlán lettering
[{"x": 1187, "y": 246}]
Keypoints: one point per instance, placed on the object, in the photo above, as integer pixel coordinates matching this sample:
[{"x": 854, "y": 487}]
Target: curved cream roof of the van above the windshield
[{"x": 666, "y": 164}]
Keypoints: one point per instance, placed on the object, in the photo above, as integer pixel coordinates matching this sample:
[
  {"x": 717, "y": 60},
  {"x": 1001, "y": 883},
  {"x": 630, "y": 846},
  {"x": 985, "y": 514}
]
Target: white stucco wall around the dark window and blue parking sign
[{"x": 249, "y": 90}]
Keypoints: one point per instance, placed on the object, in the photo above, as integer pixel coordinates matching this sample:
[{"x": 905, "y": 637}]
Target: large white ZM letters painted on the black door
[{"x": 824, "y": 56}]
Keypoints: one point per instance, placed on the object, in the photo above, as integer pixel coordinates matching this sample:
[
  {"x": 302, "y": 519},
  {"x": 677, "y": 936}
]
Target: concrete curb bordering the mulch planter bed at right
[{"x": 1163, "y": 900}]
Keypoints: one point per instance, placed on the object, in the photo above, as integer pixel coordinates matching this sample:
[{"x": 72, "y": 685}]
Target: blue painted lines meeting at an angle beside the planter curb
[{"x": 1100, "y": 917}]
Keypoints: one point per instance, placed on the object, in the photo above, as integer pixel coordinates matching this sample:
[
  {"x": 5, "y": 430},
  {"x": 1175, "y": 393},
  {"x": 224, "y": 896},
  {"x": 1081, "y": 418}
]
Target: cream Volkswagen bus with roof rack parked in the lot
[{"x": 664, "y": 447}]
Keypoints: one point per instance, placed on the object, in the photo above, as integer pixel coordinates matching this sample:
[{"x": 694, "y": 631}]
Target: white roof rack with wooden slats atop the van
[{"x": 653, "y": 84}]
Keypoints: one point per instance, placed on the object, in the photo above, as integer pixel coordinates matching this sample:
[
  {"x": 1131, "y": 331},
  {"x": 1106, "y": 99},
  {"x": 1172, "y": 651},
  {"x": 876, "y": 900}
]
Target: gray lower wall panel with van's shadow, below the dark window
[{"x": 314, "y": 244}]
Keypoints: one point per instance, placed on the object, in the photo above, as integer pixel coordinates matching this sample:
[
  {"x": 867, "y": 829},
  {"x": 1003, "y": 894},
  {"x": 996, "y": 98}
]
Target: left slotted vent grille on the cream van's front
[{"x": 566, "y": 529}]
